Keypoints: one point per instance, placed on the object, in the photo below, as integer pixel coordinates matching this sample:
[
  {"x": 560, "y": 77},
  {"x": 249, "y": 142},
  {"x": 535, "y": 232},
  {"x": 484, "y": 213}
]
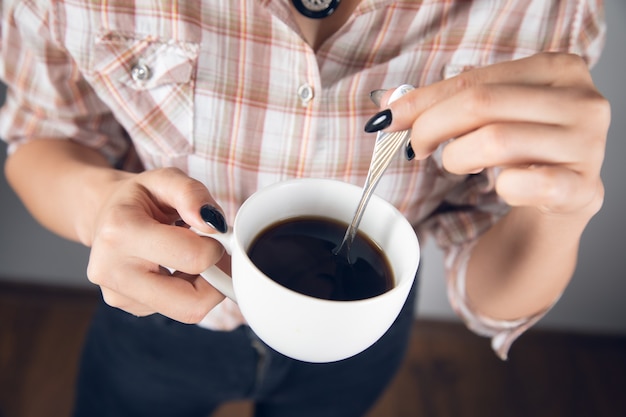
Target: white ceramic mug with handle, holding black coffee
[{"x": 300, "y": 326}]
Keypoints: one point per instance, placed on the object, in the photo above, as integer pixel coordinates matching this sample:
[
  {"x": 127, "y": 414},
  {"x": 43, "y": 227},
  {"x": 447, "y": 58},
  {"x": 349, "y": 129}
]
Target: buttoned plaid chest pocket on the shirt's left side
[{"x": 149, "y": 84}]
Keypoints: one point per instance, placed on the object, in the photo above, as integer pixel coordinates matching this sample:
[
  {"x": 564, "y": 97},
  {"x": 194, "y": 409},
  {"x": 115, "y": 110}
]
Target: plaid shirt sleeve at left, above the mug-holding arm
[{"x": 46, "y": 95}]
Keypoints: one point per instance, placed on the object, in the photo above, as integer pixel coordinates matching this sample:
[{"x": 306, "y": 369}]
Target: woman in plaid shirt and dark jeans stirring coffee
[{"x": 124, "y": 118}]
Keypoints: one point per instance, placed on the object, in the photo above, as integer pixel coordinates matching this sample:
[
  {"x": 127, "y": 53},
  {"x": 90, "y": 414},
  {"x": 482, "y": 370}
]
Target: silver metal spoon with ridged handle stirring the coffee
[{"x": 386, "y": 147}]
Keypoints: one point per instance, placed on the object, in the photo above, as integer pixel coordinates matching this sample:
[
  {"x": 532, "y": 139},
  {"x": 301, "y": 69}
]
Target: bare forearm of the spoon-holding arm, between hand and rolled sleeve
[{"x": 521, "y": 265}]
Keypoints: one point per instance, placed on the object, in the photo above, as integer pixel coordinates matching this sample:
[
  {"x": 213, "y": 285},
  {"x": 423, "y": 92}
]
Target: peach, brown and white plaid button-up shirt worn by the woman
[{"x": 229, "y": 92}]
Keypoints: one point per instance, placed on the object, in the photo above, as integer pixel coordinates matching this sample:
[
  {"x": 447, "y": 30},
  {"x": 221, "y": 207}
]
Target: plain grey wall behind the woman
[{"x": 595, "y": 302}]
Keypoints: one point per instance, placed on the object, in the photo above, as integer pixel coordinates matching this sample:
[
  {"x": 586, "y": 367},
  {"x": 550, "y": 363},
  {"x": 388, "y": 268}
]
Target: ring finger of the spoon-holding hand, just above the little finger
[{"x": 511, "y": 144}]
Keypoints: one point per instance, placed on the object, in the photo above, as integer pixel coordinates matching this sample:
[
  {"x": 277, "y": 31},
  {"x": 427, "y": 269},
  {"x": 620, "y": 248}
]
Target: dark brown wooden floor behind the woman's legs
[{"x": 447, "y": 372}]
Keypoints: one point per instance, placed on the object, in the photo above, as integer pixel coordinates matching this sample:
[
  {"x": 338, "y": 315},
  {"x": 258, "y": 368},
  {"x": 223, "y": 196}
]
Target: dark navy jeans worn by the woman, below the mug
[{"x": 155, "y": 366}]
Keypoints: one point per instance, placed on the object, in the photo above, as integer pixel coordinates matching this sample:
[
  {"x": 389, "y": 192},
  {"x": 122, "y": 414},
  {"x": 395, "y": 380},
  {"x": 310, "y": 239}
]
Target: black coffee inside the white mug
[{"x": 298, "y": 254}]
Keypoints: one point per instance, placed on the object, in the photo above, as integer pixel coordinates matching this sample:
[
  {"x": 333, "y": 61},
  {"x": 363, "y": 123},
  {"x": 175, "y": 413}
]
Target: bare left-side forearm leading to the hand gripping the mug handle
[{"x": 61, "y": 183}]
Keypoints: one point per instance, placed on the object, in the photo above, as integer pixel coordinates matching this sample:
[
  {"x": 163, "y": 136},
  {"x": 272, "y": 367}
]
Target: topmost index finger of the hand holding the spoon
[{"x": 547, "y": 69}]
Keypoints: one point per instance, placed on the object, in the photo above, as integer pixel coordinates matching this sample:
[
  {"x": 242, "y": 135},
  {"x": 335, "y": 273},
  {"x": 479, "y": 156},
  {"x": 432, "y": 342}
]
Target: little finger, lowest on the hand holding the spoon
[{"x": 552, "y": 189}]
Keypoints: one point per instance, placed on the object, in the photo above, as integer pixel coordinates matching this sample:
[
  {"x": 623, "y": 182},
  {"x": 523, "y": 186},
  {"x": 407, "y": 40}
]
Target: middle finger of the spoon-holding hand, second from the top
[{"x": 488, "y": 104}]
